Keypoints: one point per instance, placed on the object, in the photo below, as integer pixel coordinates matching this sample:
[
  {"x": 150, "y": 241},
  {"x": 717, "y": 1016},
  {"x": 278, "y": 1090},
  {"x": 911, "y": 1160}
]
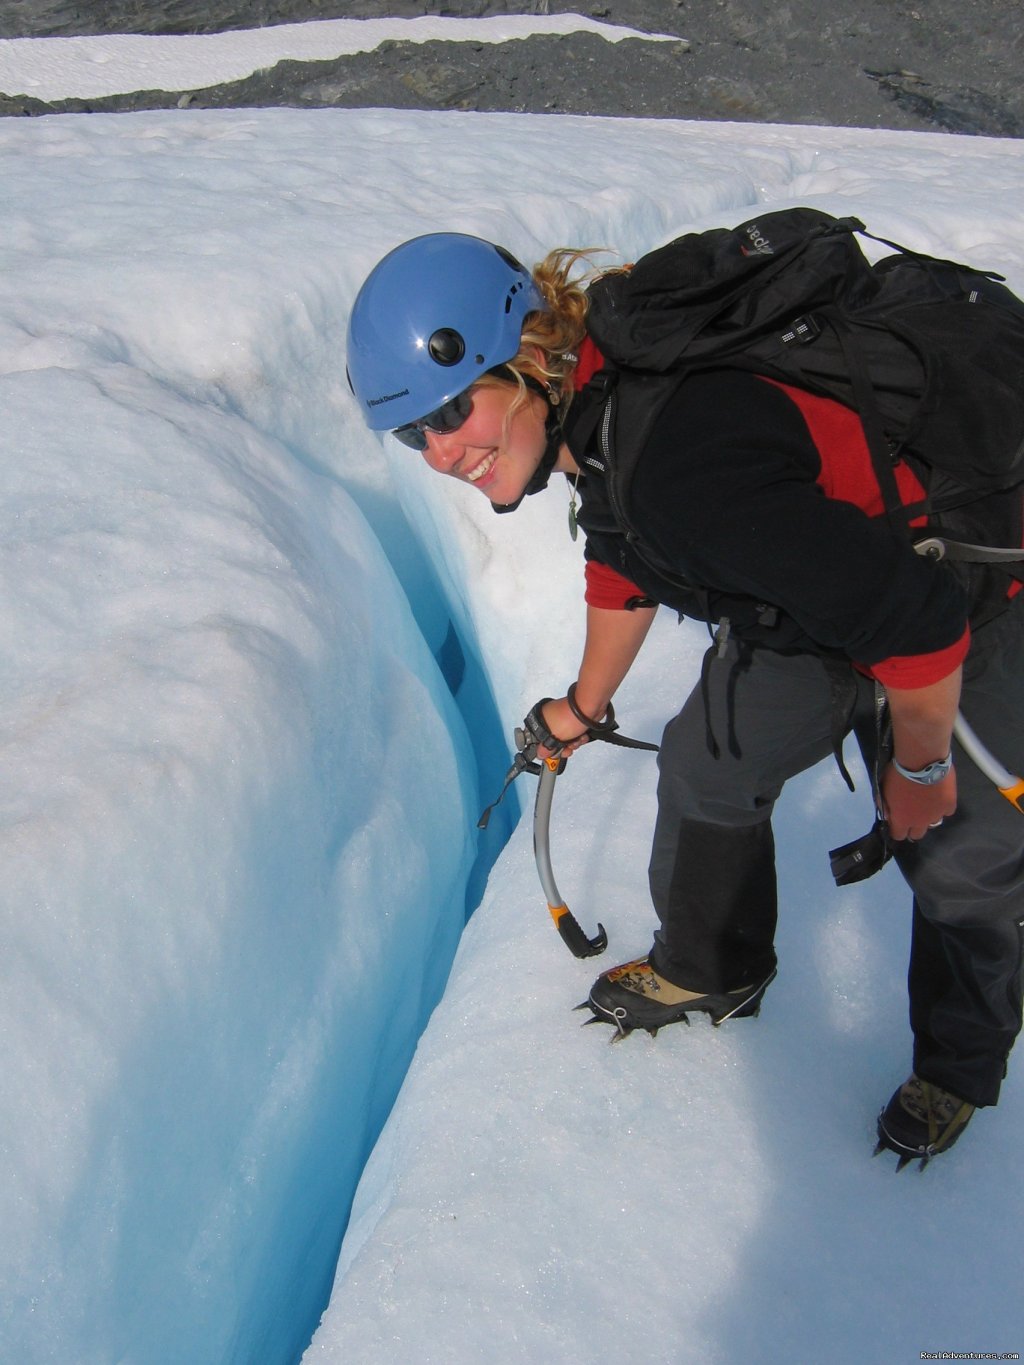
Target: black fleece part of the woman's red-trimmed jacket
[{"x": 734, "y": 525}]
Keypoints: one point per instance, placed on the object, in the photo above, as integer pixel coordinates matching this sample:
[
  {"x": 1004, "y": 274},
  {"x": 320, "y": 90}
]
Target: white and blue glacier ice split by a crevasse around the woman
[{"x": 252, "y": 657}]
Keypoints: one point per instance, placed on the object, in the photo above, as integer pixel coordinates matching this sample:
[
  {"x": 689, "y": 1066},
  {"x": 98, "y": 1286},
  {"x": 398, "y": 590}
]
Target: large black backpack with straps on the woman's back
[{"x": 929, "y": 353}]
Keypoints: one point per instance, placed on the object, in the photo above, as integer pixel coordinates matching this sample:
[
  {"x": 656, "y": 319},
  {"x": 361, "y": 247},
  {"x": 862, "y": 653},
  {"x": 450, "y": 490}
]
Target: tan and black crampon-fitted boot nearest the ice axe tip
[{"x": 634, "y": 996}]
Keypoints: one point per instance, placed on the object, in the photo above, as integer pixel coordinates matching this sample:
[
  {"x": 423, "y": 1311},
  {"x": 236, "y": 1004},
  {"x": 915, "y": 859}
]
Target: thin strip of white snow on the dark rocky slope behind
[{"x": 89, "y": 68}]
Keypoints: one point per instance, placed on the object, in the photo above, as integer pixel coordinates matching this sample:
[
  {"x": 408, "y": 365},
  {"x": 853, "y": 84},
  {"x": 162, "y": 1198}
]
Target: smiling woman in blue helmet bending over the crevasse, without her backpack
[{"x": 753, "y": 508}]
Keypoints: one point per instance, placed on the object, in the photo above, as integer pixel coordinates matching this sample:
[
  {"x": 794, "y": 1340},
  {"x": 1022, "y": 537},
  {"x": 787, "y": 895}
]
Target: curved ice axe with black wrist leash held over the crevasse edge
[{"x": 529, "y": 738}]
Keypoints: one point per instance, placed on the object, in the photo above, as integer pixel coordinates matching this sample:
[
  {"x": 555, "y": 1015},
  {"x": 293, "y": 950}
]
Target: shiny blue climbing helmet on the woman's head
[{"x": 432, "y": 317}]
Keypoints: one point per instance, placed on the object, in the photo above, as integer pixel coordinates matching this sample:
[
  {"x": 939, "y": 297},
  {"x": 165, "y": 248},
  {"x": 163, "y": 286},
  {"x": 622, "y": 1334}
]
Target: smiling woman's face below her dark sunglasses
[{"x": 496, "y": 454}]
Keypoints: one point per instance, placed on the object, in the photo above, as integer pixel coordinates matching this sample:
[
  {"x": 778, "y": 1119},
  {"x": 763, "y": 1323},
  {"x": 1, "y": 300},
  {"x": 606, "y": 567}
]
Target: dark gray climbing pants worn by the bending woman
[{"x": 713, "y": 876}]
